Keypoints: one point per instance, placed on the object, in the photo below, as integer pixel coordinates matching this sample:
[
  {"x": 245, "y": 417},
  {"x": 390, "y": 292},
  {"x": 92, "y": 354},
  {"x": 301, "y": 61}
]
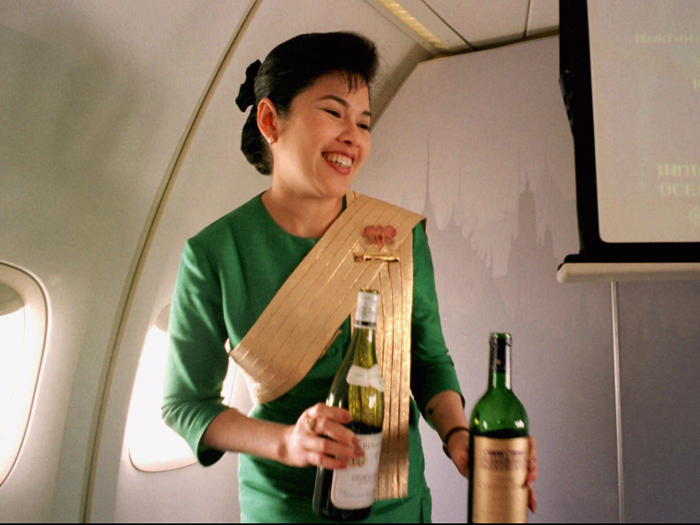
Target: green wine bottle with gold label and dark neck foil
[{"x": 499, "y": 446}]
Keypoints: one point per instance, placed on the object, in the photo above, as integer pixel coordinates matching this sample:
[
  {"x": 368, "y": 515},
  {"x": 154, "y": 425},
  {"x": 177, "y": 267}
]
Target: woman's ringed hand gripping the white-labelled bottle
[{"x": 320, "y": 438}]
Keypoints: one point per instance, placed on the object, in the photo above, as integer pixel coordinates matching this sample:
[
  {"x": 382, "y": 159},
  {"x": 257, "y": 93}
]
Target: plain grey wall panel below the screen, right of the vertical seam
[{"x": 659, "y": 344}]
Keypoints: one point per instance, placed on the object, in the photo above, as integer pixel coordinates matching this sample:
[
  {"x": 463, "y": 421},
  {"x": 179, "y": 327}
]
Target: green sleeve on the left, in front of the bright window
[{"x": 197, "y": 361}]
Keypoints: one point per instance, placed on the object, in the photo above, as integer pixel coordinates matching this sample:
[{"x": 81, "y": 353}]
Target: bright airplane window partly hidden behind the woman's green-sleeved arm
[{"x": 152, "y": 445}]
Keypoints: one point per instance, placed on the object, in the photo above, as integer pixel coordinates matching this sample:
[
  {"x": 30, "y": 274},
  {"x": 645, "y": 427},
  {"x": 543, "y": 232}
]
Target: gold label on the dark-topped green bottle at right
[{"x": 499, "y": 494}]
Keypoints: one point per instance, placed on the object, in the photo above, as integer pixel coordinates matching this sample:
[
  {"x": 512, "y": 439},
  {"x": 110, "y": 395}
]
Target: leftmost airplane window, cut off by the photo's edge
[{"x": 22, "y": 336}]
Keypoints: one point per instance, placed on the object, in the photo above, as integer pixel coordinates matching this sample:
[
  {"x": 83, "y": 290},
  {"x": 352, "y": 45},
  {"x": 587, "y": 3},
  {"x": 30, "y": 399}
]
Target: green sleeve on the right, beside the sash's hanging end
[{"x": 432, "y": 368}]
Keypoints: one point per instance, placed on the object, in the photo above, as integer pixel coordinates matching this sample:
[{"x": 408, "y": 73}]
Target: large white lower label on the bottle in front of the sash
[{"x": 354, "y": 487}]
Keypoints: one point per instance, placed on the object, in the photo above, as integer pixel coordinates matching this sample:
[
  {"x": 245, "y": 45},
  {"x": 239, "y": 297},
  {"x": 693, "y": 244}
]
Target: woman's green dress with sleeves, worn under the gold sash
[{"x": 228, "y": 274}]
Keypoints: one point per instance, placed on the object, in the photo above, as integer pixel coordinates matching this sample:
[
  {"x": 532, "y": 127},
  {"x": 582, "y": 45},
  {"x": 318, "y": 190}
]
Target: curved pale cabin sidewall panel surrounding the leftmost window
[{"x": 93, "y": 98}]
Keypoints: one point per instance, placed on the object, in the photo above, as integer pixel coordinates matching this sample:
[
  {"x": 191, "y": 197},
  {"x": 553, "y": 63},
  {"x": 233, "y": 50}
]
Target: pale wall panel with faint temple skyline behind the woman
[{"x": 480, "y": 144}]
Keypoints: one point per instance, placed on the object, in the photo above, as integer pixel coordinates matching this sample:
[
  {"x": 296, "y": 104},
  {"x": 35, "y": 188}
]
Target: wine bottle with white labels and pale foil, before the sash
[{"x": 348, "y": 494}]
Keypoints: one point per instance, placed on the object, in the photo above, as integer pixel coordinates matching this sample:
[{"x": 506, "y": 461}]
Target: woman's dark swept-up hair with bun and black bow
[{"x": 289, "y": 69}]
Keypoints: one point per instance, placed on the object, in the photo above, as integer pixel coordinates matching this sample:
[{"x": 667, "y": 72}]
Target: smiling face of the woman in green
[{"x": 324, "y": 140}]
